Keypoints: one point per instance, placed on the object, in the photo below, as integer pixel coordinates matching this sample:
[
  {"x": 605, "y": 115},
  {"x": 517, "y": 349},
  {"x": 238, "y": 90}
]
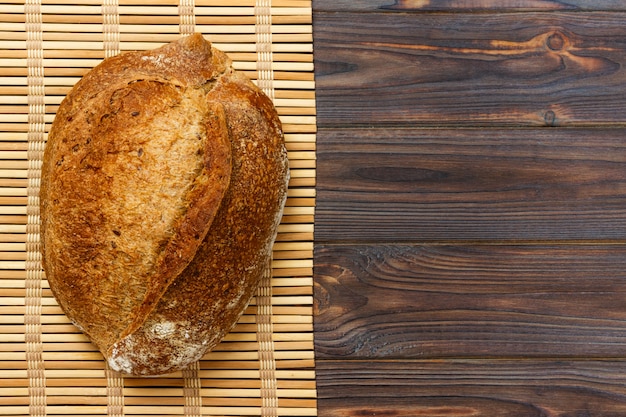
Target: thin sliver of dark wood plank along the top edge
[{"x": 465, "y": 5}]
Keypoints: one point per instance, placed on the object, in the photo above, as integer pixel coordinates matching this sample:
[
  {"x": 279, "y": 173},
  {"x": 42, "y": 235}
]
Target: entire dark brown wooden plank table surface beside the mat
[{"x": 470, "y": 255}]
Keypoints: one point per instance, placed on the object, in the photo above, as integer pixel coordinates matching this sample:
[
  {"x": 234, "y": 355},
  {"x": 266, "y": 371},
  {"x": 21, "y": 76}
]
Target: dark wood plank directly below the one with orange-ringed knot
[{"x": 470, "y": 184}]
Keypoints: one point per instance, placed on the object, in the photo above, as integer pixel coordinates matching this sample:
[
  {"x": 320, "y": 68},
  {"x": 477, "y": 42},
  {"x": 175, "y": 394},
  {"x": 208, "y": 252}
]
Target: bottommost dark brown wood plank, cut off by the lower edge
[{"x": 472, "y": 388}]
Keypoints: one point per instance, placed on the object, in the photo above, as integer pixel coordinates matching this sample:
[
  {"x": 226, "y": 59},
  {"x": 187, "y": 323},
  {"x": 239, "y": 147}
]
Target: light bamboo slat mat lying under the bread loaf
[{"x": 265, "y": 366}]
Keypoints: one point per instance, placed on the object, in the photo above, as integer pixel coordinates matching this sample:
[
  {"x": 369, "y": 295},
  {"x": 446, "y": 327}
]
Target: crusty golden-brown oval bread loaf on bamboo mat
[{"x": 163, "y": 182}]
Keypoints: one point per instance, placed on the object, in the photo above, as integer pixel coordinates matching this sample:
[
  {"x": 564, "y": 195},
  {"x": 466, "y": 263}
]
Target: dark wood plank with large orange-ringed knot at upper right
[{"x": 521, "y": 69}]
